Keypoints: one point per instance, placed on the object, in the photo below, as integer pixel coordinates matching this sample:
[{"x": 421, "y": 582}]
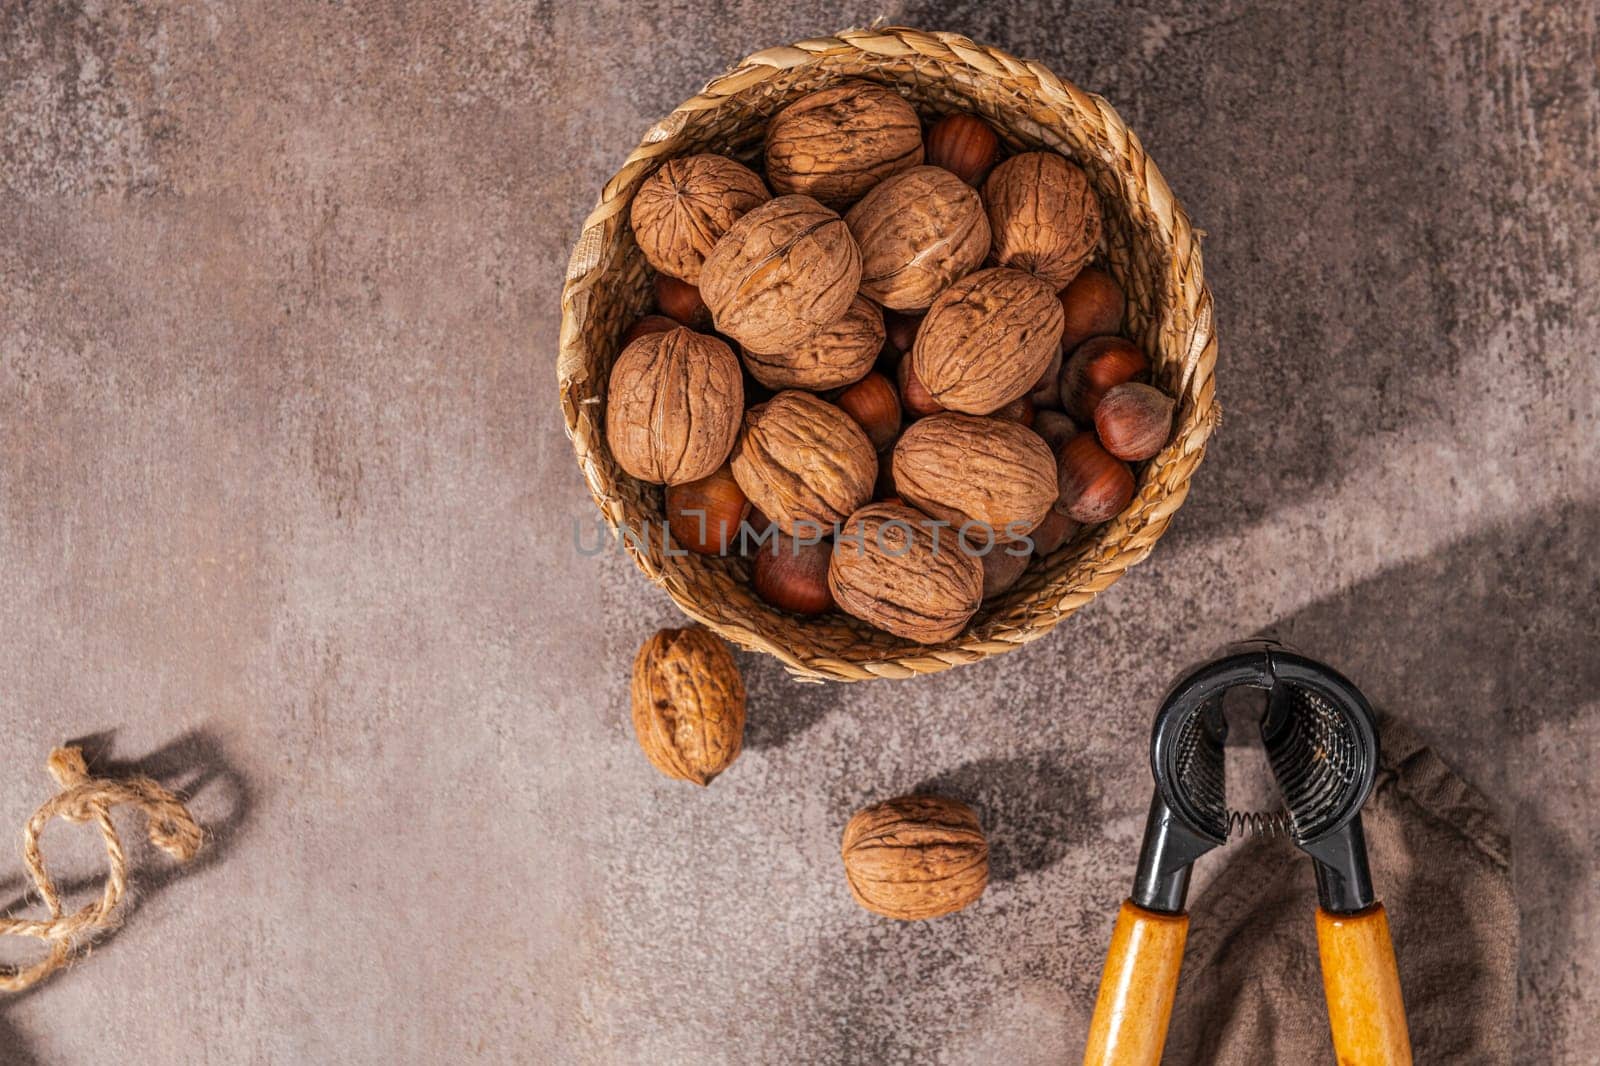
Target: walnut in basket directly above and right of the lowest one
[{"x": 988, "y": 471}]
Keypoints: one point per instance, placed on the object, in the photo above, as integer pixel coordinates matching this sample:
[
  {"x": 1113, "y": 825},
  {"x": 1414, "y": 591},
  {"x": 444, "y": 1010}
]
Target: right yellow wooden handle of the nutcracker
[{"x": 1362, "y": 985}]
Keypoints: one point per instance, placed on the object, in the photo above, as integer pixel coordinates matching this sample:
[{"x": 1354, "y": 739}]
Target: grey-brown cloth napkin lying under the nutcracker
[{"x": 1252, "y": 987}]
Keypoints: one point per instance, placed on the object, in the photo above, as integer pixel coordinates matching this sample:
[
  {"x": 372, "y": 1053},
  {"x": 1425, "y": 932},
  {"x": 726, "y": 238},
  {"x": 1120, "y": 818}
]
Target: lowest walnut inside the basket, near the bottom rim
[{"x": 895, "y": 571}]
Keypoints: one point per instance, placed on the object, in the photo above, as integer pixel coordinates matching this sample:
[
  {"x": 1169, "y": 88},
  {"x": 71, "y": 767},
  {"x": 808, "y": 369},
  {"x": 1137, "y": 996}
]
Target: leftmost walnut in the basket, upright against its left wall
[{"x": 673, "y": 406}]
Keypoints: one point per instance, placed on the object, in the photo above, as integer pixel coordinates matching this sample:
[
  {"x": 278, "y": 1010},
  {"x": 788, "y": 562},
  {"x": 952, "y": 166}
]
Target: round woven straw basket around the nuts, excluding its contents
[{"x": 1150, "y": 247}]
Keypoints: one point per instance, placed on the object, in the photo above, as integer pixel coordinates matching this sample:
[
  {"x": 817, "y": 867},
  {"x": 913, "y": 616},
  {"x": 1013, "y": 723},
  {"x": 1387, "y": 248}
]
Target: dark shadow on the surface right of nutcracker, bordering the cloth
[{"x": 1487, "y": 651}]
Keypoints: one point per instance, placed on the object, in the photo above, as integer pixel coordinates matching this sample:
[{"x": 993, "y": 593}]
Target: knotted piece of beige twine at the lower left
[{"x": 82, "y": 798}]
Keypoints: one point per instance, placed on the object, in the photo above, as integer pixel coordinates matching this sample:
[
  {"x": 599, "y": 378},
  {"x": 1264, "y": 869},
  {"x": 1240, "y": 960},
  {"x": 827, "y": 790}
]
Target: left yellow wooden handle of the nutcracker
[{"x": 1137, "y": 988}]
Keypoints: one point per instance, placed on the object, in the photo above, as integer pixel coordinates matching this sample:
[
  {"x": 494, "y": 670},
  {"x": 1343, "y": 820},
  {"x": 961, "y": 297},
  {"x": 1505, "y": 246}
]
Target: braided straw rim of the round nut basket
[{"x": 1118, "y": 545}]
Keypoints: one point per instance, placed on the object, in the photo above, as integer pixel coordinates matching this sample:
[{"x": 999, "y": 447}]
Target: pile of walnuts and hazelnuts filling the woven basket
[{"x": 890, "y": 372}]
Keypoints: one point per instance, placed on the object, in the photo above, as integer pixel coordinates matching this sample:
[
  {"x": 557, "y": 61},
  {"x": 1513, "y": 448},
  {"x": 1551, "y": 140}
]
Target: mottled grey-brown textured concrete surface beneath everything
[{"x": 286, "y": 508}]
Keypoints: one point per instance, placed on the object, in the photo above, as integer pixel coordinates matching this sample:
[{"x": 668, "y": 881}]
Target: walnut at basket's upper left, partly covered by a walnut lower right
[{"x": 687, "y": 206}]
